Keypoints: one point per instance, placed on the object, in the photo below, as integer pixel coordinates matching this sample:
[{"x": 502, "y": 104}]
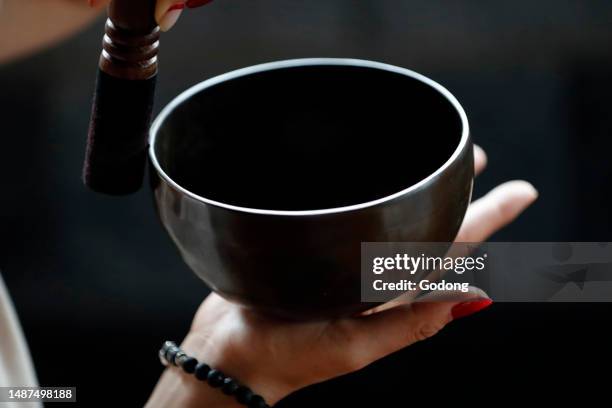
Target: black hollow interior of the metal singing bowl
[{"x": 308, "y": 137}]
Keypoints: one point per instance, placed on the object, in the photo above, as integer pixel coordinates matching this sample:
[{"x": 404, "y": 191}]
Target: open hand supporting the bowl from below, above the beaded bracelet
[{"x": 304, "y": 353}]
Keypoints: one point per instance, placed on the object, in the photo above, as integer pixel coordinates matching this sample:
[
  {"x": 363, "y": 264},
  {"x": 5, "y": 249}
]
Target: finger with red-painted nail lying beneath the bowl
[{"x": 375, "y": 336}]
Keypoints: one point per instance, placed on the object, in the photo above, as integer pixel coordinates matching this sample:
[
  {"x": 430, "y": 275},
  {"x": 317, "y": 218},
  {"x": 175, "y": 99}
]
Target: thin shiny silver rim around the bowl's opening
[{"x": 301, "y": 62}]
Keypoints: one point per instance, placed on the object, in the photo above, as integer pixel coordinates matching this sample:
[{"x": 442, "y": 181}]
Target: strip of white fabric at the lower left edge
[{"x": 16, "y": 368}]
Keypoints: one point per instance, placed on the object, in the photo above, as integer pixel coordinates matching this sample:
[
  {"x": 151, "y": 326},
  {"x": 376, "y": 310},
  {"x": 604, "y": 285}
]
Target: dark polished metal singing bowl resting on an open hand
[{"x": 269, "y": 178}]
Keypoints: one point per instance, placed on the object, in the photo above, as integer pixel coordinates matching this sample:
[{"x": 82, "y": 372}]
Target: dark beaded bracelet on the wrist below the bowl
[{"x": 171, "y": 354}]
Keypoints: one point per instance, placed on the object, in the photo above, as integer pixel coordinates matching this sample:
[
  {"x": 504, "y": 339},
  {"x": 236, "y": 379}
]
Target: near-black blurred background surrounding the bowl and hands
[{"x": 99, "y": 286}]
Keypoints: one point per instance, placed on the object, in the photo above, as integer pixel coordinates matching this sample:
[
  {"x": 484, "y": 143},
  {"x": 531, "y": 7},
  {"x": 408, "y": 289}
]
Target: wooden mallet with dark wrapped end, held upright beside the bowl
[{"x": 117, "y": 143}]
